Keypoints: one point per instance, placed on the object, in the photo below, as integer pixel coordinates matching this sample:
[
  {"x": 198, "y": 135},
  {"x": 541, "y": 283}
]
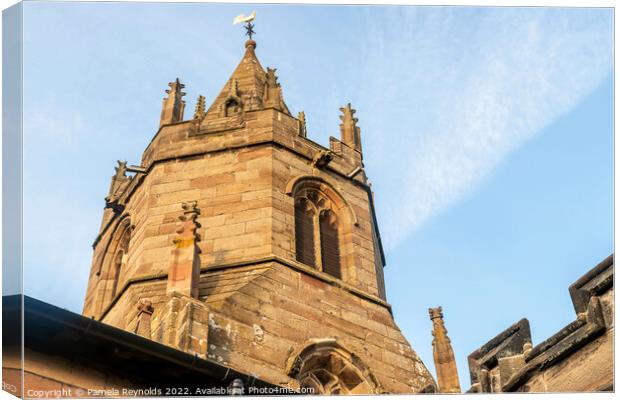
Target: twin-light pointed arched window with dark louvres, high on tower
[{"x": 317, "y": 240}]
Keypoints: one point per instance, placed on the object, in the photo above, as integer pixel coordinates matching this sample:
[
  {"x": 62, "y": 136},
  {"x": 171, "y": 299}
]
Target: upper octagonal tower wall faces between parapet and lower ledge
[{"x": 245, "y": 211}]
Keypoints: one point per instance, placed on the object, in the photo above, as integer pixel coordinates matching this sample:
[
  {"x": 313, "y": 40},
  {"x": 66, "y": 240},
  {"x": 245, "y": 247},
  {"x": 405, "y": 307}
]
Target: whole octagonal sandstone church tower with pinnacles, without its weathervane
[{"x": 240, "y": 240}]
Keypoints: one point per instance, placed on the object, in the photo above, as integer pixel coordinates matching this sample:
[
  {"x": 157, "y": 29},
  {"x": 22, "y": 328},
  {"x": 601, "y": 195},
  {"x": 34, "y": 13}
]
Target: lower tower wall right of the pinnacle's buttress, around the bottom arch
[{"x": 263, "y": 325}]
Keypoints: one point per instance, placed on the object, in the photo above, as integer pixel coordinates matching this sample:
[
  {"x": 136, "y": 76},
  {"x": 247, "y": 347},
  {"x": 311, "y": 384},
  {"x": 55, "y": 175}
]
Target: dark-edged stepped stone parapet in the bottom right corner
[{"x": 578, "y": 358}]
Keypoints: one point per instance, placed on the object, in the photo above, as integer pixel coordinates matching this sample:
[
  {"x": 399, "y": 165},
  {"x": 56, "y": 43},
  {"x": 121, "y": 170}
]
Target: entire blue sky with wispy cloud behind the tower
[{"x": 487, "y": 135}]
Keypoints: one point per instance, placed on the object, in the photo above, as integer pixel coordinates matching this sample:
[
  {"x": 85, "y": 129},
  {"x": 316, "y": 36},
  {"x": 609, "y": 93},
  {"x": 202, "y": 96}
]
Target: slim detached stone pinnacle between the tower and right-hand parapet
[{"x": 445, "y": 364}]
